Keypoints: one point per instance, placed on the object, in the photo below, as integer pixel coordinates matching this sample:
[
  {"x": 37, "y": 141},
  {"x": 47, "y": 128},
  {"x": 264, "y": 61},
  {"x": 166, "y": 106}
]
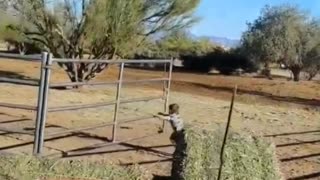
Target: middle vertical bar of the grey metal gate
[{"x": 117, "y": 106}]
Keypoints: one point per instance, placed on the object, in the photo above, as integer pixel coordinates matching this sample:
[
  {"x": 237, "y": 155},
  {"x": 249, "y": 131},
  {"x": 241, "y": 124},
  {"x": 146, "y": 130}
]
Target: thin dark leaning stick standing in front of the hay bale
[{"x": 226, "y": 133}]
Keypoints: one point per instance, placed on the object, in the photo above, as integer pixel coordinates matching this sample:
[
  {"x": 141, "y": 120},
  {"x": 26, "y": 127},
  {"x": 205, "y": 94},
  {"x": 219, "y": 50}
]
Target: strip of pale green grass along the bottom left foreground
[{"x": 30, "y": 168}]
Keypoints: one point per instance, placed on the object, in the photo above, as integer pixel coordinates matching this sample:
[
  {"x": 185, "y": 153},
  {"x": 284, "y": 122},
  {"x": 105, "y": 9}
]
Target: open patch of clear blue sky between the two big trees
[{"x": 227, "y": 18}]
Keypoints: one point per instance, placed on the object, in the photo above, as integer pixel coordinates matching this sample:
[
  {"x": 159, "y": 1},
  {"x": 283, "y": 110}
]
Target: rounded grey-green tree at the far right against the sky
[{"x": 282, "y": 34}]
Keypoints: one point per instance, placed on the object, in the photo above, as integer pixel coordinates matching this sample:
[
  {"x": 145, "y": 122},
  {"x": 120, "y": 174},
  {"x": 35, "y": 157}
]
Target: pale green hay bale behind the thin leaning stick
[{"x": 246, "y": 157}]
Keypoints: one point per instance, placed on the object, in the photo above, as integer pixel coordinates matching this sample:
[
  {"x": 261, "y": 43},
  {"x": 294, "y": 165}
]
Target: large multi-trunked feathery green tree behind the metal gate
[{"x": 97, "y": 29}]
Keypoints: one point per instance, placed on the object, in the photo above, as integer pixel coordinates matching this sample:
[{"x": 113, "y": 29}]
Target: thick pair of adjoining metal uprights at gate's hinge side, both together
[{"x": 42, "y": 103}]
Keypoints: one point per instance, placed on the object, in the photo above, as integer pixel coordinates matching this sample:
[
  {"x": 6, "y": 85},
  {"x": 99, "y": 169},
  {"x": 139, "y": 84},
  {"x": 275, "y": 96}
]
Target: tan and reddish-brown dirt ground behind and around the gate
[{"x": 286, "y": 112}]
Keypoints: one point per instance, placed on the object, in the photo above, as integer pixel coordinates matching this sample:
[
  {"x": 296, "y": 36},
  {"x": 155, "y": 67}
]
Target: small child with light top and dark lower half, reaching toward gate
[{"x": 178, "y": 138}]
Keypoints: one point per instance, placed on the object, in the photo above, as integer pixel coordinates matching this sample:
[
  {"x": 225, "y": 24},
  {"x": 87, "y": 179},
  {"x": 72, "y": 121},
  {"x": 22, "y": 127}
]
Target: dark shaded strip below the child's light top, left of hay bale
[{"x": 179, "y": 155}]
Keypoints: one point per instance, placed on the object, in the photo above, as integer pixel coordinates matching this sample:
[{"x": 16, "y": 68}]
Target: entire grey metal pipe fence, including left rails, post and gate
[{"x": 44, "y": 86}]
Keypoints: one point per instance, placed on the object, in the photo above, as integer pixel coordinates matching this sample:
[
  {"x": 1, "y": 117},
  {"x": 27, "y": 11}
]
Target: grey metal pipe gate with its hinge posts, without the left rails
[{"x": 44, "y": 88}]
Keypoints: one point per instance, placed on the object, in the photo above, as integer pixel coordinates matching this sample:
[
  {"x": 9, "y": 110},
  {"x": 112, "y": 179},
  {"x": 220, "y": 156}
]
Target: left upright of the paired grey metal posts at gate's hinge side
[{"x": 40, "y": 101}]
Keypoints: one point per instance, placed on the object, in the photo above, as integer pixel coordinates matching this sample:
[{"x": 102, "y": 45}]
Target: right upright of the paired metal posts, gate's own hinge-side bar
[{"x": 44, "y": 110}]
